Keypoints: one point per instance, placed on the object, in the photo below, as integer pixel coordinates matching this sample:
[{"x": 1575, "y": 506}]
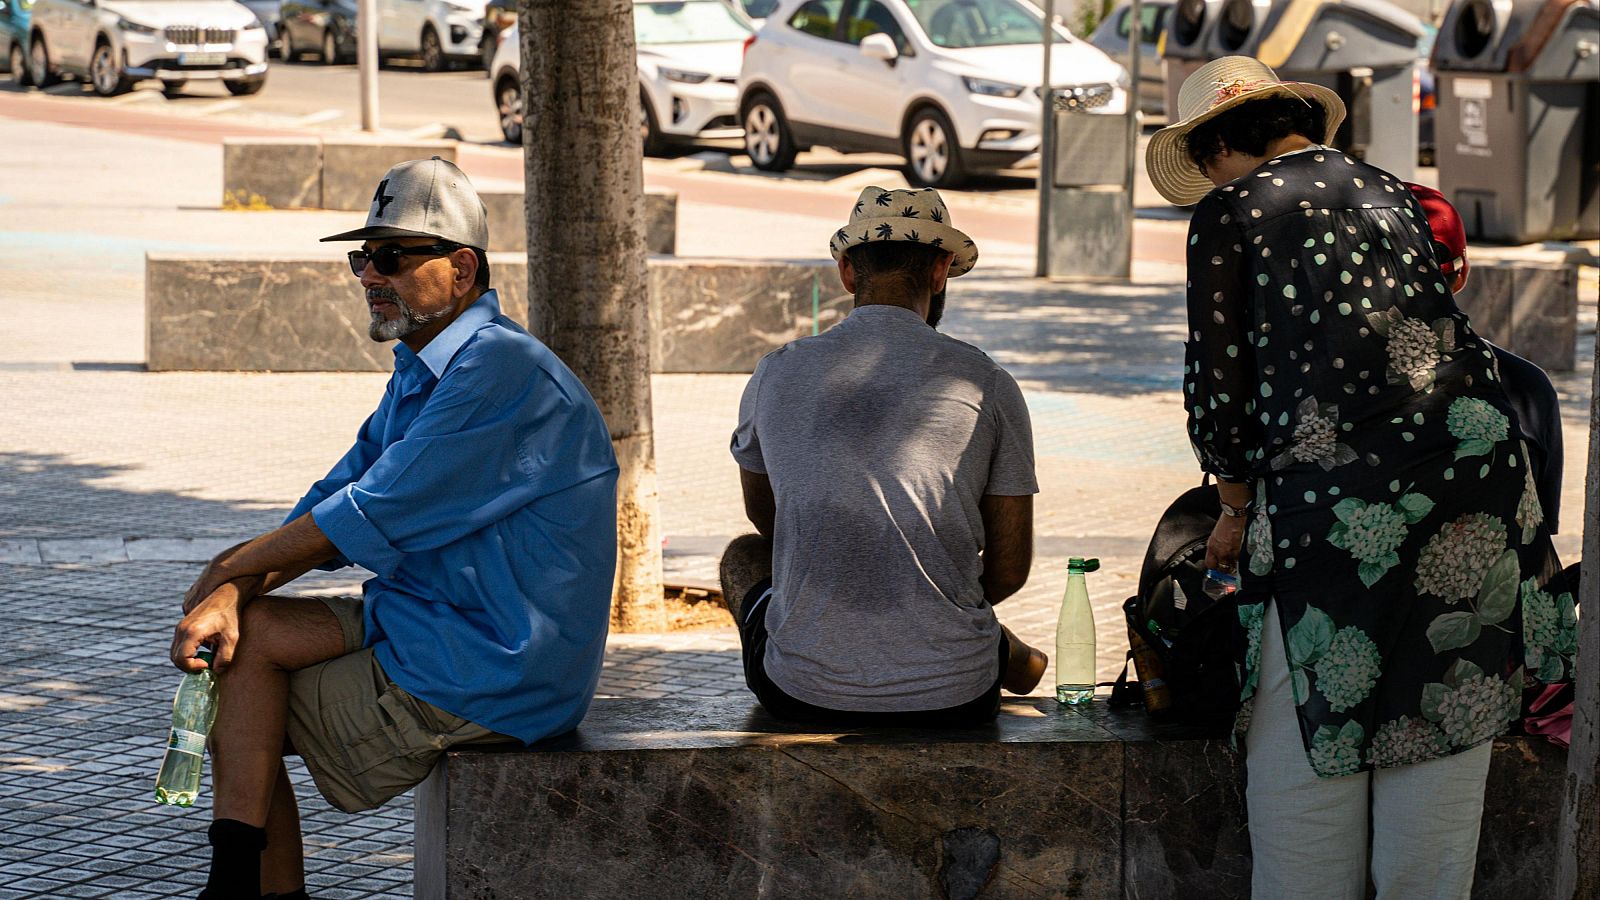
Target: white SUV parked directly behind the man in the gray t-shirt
[{"x": 953, "y": 86}]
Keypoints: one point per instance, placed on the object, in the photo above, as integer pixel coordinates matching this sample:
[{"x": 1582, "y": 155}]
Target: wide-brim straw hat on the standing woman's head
[{"x": 1215, "y": 89}]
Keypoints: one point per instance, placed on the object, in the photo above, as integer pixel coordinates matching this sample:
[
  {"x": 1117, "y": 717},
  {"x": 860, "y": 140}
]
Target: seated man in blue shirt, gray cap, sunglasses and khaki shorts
[{"x": 482, "y": 494}]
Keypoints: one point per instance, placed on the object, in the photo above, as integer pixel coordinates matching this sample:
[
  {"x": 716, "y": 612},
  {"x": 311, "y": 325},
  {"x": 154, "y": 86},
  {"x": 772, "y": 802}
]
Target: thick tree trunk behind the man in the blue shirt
[{"x": 586, "y": 254}]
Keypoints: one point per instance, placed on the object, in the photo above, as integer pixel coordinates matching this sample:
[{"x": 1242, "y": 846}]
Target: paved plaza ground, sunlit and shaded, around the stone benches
[{"x": 116, "y": 484}]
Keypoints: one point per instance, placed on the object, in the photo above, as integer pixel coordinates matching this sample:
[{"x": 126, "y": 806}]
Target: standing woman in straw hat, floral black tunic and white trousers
[{"x": 1375, "y": 497}]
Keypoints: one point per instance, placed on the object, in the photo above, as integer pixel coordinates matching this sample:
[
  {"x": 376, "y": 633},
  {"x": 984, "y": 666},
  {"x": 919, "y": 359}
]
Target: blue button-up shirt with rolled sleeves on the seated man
[{"x": 482, "y": 492}]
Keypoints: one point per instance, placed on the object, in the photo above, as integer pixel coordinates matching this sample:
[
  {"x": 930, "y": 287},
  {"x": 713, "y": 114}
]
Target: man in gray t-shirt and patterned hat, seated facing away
[{"x": 890, "y": 475}]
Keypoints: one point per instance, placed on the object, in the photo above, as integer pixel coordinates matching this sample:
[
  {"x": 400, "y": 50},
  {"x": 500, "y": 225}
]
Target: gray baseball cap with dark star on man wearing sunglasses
[{"x": 425, "y": 199}]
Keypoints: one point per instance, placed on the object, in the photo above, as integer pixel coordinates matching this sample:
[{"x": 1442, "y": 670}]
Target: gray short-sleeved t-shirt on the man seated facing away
[{"x": 881, "y": 436}]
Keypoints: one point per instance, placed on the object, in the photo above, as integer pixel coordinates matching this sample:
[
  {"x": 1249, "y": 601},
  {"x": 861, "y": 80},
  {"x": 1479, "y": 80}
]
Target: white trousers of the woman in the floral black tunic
[{"x": 1311, "y": 837}]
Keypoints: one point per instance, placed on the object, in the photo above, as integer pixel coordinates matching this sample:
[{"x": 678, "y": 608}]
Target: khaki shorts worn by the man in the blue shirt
[{"x": 364, "y": 739}]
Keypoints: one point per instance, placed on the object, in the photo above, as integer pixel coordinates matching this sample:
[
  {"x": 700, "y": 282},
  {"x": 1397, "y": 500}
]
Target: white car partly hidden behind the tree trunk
[{"x": 689, "y": 62}]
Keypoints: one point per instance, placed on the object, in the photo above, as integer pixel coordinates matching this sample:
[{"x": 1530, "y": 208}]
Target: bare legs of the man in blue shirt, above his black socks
[{"x": 278, "y": 637}]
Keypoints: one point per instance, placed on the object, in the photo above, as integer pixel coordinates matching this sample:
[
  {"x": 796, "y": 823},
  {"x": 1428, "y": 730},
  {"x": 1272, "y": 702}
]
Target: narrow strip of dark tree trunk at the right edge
[{"x": 1578, "y": 867}]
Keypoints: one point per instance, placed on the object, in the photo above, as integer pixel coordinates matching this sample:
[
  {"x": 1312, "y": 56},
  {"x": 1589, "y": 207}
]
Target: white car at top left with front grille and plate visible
[{"x": 116, "y": 44}]
